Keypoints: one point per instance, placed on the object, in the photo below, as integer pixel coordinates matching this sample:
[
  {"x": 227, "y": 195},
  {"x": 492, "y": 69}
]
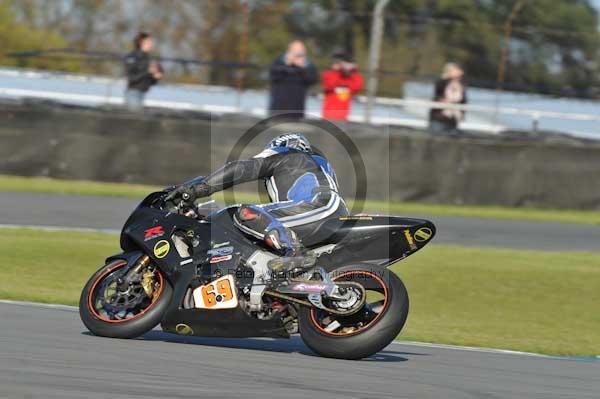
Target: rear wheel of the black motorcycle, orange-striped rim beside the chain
[{"x": 366, "y": 332}]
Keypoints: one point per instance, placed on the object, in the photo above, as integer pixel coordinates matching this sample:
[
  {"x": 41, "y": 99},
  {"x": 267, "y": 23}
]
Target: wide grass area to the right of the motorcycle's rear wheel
[{"x": 523, "y": 300}]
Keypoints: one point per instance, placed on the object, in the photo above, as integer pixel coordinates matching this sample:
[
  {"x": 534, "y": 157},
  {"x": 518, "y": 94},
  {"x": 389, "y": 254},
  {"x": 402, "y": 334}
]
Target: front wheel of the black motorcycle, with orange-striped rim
[{"x": 109, "y": 311}]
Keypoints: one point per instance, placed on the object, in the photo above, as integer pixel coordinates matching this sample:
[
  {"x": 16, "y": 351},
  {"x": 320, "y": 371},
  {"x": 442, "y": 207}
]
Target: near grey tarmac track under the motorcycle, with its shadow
[{"x": 46, "y": 353}]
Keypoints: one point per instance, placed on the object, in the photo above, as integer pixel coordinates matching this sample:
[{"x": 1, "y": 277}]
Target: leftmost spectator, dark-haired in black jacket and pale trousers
[{"x": 142, "y": 72}]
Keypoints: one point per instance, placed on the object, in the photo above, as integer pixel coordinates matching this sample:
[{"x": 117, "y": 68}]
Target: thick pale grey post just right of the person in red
[{"x": 374, "y": 53}]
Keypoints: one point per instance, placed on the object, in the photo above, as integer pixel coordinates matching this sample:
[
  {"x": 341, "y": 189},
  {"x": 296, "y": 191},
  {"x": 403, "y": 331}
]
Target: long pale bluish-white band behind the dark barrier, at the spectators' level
[{"x": 95, "y": 91}]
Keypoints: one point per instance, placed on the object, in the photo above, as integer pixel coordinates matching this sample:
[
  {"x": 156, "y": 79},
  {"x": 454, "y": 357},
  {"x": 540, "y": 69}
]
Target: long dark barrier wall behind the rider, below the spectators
[{"x": 155, "y": 147}]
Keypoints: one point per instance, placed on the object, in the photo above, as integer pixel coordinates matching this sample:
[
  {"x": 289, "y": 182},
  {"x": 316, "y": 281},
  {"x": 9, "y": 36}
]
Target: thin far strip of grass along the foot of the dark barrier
[{"x": 46, "y": 185}]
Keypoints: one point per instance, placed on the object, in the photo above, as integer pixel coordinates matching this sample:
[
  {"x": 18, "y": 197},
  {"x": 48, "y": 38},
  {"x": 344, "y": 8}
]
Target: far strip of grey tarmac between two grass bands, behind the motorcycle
[{"x": 111, "y": 213}]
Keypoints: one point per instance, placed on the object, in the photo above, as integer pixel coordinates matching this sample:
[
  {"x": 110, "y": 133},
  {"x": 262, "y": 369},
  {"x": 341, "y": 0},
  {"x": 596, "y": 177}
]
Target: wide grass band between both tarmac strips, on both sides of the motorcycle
[{"x": 520, "y": 300}]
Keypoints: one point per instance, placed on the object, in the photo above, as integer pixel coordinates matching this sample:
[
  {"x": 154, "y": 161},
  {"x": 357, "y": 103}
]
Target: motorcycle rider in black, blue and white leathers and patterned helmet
[{"x": 302, "y": 187}]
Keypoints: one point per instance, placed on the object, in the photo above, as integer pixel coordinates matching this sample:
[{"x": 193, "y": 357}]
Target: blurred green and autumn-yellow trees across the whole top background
[{"x": 553, "y": 46}]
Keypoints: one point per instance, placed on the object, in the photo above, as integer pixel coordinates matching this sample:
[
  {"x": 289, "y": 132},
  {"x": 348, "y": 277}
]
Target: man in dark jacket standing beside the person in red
[{"x": 291, "y": 75}]
